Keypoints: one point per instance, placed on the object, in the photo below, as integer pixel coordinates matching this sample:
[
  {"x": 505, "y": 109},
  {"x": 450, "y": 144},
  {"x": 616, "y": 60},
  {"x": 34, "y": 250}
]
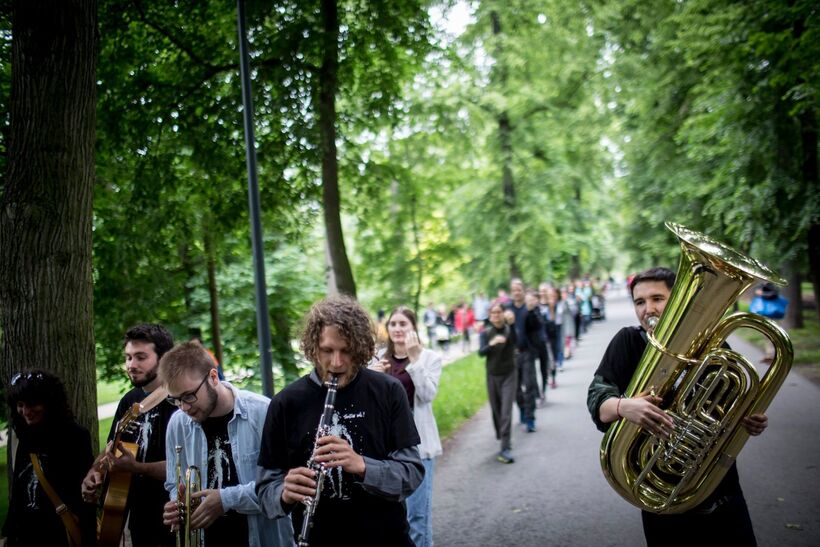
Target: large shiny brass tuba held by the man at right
[{"x": 706, "y": 389}]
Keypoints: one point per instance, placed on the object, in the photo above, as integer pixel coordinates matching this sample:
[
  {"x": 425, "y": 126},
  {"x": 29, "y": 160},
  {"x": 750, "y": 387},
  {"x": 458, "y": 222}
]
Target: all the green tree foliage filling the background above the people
[{"x": 601, "y": 120}]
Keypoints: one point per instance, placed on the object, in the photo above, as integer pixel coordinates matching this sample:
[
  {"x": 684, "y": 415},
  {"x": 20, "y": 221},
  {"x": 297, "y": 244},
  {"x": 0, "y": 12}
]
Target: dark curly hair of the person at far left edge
[{"x": 38, "y": 387}]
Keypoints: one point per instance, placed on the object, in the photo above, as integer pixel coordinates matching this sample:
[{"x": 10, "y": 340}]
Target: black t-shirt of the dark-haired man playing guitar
[{"x": 147, "y": 496}]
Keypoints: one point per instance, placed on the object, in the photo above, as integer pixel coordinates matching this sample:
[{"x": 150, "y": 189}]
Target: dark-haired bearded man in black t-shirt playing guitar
[{"x": 144, "y": 345}]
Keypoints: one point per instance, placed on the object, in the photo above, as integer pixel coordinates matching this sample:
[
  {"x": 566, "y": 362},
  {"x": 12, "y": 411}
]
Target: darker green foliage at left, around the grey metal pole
[{"x": 171, "y": 191}]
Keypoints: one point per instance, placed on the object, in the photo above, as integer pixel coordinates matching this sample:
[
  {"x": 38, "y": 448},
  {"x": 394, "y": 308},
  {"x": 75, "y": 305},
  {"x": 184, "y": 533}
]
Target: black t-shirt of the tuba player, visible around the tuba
[{"x": 619, "y": 364}]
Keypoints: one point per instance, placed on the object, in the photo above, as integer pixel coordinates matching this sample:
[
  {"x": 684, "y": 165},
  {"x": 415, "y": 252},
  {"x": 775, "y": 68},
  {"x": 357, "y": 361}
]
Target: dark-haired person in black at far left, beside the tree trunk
[{"x": 49, "y": 436}]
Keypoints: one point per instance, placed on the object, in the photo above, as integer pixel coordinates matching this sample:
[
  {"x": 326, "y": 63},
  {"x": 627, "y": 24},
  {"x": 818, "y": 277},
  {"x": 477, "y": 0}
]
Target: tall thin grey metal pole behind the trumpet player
[{"x": 262, "y": 323}]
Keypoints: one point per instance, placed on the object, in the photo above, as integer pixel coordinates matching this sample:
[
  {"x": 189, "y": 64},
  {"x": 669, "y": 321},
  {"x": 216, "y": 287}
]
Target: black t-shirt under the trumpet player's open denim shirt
[{"x": 231, "y": 528}]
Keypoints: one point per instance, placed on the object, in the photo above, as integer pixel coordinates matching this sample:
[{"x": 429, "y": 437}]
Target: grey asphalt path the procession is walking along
[{"x": 556, "y": 494}]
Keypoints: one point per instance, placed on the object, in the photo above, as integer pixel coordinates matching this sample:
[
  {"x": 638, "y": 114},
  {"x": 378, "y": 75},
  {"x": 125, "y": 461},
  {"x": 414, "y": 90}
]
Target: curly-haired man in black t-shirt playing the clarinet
[{"x": 370, "y": 453}]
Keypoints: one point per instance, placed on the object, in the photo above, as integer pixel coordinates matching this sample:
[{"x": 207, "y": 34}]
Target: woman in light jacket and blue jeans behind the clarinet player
[{"x": 418, "y": 369}]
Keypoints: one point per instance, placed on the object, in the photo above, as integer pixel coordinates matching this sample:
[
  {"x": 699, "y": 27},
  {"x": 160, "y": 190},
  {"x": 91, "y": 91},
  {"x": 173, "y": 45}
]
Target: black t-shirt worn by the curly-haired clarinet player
[{"x": 373, "y": 415}]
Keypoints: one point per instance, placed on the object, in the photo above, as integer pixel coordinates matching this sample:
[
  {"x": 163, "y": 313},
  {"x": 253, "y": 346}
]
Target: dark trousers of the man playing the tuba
[{"x": 728, "y": 524}]
